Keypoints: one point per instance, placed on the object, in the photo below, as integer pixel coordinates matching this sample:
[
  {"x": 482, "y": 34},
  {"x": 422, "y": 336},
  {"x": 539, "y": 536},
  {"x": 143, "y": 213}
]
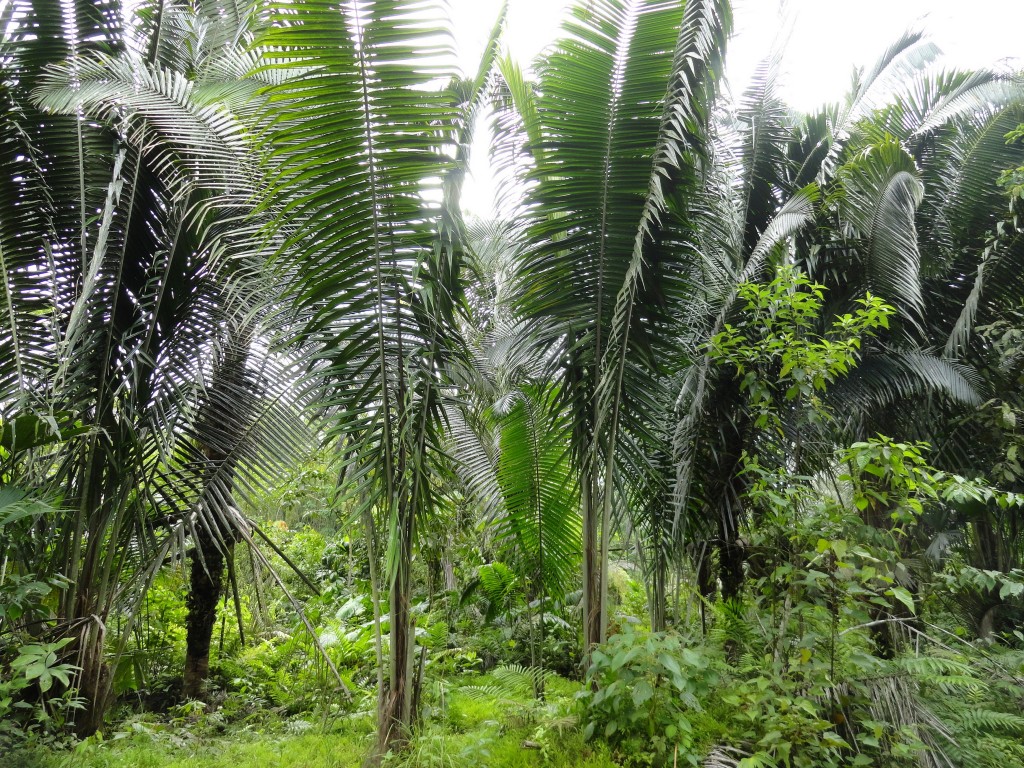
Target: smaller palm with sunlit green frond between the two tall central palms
[{"x": 511, "y": 434}]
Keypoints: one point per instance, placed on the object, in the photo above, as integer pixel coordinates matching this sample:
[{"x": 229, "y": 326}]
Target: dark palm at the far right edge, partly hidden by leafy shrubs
[{"x": 972, "y": 252}]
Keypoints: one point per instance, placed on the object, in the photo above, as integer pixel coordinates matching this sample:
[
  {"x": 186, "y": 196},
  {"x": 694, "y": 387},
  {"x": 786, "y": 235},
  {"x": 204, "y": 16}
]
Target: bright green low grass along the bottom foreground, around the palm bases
[{"x": 480, "y": 727}]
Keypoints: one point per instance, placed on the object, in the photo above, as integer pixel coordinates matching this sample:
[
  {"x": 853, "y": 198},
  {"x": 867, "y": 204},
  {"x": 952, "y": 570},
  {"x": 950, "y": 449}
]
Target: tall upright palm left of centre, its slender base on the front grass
[{"x": 360, "y": 136}]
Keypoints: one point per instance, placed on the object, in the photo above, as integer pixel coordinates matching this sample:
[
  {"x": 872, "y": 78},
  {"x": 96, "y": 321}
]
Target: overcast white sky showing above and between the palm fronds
[{"x": 825, "y": 40}]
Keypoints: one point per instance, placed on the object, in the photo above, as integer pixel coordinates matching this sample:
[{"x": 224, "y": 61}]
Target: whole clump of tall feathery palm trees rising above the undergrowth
[{"x": 231, "y": 230}]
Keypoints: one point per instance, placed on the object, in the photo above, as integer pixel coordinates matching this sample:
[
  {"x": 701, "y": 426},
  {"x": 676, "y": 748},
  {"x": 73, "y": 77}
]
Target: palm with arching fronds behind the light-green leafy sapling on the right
[{"x": 780, "y": 174}]
